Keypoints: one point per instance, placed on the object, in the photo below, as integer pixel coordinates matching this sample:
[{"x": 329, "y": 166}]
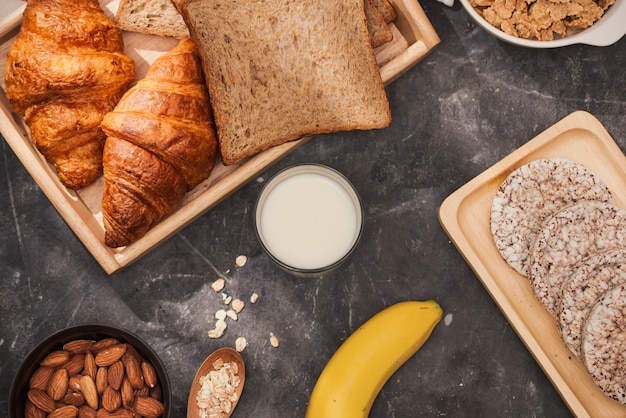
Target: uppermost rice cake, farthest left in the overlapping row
[{"x": 530, "y": 195}]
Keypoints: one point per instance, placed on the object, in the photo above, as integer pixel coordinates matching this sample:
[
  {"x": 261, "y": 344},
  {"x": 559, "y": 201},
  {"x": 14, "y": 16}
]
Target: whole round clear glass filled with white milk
[{"x": 309, "y": 219}]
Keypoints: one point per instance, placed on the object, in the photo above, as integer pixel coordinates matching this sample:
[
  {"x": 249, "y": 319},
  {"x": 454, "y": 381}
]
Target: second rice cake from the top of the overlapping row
[{"x": 570, "y": 235}]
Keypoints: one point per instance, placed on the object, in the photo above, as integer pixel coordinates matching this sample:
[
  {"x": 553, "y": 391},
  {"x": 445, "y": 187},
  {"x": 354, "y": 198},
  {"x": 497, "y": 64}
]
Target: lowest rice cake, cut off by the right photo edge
[{"x": 604, "y": 339}]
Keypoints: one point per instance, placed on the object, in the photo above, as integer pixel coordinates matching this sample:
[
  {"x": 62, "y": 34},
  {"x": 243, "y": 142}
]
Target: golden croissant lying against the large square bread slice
[{"x": 161, "y": 143}]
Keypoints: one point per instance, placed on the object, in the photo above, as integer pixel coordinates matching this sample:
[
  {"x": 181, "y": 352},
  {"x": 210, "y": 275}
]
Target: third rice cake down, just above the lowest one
[{"x": 589, "y": 280}]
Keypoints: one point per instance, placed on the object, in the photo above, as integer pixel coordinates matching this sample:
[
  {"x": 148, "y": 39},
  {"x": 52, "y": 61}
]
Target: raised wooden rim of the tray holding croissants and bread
[{"x": 71, "y": 211}]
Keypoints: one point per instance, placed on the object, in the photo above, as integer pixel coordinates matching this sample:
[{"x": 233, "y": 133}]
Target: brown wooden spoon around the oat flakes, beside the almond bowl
[{"x": 228, "y": 355}]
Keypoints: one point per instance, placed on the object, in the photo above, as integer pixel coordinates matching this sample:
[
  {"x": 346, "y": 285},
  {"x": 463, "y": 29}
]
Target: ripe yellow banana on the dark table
[{"x": 357, "y": 371}]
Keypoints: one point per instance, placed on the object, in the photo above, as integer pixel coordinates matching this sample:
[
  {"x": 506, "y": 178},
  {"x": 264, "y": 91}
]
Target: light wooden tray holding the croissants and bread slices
[{"x": 414, "y": 38}]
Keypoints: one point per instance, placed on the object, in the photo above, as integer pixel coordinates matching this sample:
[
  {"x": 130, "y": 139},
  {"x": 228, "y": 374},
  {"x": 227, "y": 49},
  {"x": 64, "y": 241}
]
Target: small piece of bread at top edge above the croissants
[{"x": 154, "y": 17}]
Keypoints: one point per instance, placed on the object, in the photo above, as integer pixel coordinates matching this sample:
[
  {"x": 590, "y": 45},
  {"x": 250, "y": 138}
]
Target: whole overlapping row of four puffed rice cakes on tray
[{"x": 554, "y": 221}]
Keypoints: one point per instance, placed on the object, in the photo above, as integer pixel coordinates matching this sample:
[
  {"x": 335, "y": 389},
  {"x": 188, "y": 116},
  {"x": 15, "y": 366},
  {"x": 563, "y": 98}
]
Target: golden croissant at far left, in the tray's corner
[{"x": 64, "y": 72}]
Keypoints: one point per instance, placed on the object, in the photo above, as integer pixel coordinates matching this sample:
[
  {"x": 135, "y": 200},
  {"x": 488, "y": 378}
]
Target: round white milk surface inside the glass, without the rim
[{"x": 309, "y": 221}]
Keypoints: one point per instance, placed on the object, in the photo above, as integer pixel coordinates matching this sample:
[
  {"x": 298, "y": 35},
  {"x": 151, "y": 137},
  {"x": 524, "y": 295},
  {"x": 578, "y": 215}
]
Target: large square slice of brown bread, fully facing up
[{"x": 278, "y": 70}]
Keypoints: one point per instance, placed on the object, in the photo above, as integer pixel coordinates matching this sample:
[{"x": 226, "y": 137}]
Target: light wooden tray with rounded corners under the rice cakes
[{"x": 465, "y": 216}]
